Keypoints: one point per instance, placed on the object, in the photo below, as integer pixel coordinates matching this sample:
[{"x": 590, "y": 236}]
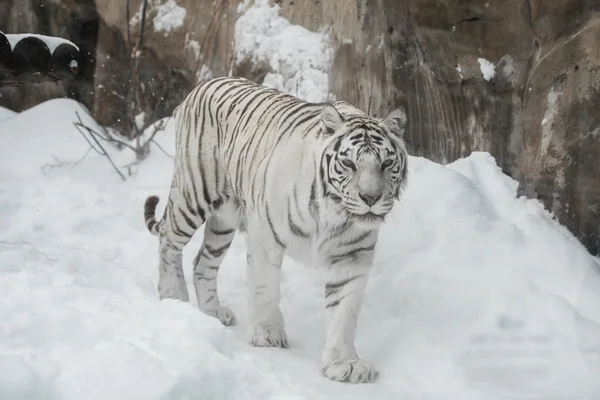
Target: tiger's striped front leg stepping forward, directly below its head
[{"x": 345, "y": 285}]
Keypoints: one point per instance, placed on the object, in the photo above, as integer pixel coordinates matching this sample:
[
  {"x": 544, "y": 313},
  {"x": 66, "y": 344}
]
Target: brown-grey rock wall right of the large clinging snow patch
[{"x": 538, "y": 115}]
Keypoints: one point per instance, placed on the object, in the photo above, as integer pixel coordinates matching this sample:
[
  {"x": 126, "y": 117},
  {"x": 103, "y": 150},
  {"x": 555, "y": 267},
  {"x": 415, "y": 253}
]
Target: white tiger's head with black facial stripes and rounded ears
[{"x": 363, "y": 167}]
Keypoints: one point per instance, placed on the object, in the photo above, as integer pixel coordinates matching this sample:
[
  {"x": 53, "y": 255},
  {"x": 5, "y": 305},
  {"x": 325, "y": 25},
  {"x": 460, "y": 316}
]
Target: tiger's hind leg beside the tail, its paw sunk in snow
[{"x": 181, "y": 220}]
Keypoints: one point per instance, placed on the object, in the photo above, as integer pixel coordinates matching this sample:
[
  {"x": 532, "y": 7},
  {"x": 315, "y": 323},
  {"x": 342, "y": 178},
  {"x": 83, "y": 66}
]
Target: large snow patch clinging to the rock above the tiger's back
[{"x": 299, "y": 59}]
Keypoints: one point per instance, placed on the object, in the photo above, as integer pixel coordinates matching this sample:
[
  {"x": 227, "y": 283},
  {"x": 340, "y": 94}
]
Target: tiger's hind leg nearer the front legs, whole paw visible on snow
[{"x": 218, "y": 235}]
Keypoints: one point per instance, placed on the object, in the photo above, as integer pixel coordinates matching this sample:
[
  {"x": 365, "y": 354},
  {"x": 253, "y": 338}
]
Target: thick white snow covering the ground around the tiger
[{"x": 476, "y": 294}]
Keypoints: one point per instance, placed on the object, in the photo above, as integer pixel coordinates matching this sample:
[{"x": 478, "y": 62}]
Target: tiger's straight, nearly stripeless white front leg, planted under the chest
[{"x": 265, "y": 254}]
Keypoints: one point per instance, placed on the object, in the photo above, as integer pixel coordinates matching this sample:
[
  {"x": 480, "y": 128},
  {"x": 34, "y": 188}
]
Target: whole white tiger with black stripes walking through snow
[{"x": 297, "y": 177}]
